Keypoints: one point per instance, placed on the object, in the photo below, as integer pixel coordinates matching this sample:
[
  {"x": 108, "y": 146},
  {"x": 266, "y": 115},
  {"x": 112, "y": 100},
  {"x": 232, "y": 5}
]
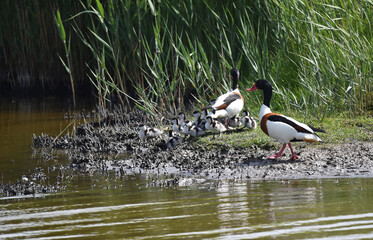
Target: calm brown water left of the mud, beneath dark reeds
[{"x": 19, "y": 120}]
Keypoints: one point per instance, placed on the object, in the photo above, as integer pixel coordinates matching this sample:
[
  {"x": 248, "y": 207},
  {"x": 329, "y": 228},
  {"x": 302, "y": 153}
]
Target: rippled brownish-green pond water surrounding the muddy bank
[{"x": 106, "y": 206}]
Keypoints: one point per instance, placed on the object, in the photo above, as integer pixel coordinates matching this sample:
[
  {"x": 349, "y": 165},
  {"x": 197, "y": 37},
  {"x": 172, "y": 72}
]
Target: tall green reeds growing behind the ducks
[{"x": 163, "y": 55}]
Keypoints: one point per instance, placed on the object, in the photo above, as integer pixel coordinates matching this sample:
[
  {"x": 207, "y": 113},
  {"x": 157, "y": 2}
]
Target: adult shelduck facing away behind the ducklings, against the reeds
[{"x": 229, "y": 104}]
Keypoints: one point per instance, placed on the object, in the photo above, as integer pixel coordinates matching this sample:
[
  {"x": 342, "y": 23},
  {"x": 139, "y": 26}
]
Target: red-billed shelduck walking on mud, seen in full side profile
[{"x": 282, "y": 128}]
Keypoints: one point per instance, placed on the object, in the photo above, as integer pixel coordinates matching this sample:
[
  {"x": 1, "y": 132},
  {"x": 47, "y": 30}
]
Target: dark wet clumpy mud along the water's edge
[{"x": 112, "y": 144}]
